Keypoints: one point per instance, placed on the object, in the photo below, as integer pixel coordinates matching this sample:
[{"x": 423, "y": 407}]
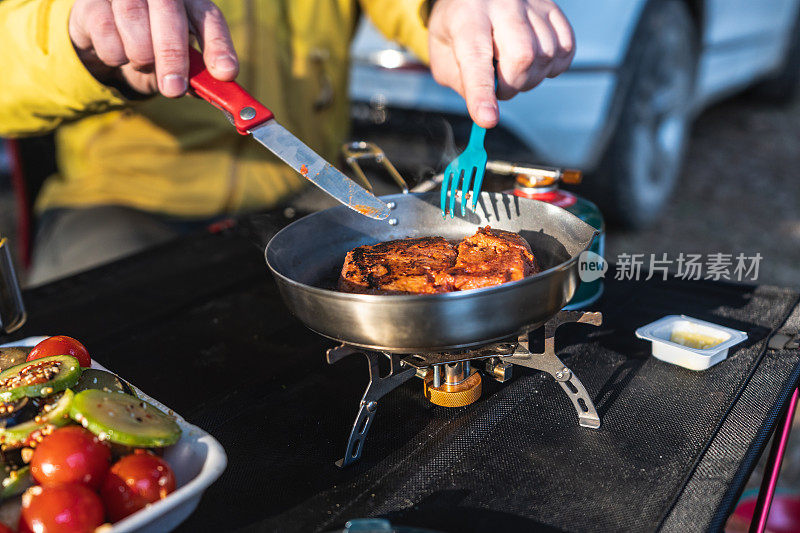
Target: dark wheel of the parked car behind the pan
[{"x": 643, "y": 158}]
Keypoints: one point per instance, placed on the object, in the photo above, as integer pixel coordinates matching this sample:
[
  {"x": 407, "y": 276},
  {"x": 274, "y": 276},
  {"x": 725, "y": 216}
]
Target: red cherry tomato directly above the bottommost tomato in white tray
[{"x": 70, "y": 455}]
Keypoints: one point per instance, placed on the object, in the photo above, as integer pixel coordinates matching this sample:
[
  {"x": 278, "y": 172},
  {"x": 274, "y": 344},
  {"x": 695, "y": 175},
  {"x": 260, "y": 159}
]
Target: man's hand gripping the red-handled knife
[{"x": 144, "y": 43}]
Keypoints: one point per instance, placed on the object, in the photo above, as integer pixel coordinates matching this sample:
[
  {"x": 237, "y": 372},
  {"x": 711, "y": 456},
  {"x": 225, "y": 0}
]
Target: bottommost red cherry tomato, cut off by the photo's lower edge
[{"x": 69, "y": 508}]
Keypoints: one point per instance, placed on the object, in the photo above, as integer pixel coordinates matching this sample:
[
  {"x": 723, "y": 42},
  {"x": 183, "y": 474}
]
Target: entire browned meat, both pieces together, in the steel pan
[{"x": 433, "y": 265}]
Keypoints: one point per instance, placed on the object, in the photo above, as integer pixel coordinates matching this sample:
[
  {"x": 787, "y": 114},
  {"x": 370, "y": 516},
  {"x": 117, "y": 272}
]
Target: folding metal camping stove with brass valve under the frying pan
[{"x": 451, "y": 379}]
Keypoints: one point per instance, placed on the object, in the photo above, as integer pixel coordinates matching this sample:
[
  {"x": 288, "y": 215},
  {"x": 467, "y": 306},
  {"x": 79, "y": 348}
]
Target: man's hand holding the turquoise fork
[{"x": 529, "y": 39}]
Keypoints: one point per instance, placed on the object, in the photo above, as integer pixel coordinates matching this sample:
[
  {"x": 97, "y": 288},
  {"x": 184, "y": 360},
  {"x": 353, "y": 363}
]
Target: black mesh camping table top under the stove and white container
[{"x": 198, "y": 324}]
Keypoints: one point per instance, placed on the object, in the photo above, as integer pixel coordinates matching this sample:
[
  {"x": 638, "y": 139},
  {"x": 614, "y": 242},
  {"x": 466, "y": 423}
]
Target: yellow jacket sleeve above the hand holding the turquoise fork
[{"x": 402, "y": 21}]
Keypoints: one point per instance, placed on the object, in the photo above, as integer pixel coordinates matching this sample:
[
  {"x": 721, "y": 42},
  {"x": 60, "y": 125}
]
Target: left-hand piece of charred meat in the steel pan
[{"x": 399, "y": 267}]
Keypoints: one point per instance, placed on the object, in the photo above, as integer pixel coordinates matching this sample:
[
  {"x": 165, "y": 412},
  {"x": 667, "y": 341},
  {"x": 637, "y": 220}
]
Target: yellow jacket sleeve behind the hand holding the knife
[{"x": 43, "y": 82}]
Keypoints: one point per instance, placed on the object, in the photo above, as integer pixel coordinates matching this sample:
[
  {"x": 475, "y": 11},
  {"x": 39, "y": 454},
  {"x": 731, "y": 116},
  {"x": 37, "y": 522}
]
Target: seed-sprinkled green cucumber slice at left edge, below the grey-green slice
[{"x": 40, "y": 377}]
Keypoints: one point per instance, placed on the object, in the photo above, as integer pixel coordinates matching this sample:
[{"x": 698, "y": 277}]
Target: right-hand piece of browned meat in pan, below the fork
[{"x": 491, "y": 257}]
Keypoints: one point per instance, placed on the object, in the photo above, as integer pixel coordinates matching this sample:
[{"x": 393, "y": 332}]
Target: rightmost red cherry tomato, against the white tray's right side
[{"x": 134, "y": 481}]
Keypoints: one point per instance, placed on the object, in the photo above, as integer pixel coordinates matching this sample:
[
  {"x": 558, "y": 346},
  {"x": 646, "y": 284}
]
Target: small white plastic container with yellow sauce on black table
[{"x": 666, "y": 334}]
